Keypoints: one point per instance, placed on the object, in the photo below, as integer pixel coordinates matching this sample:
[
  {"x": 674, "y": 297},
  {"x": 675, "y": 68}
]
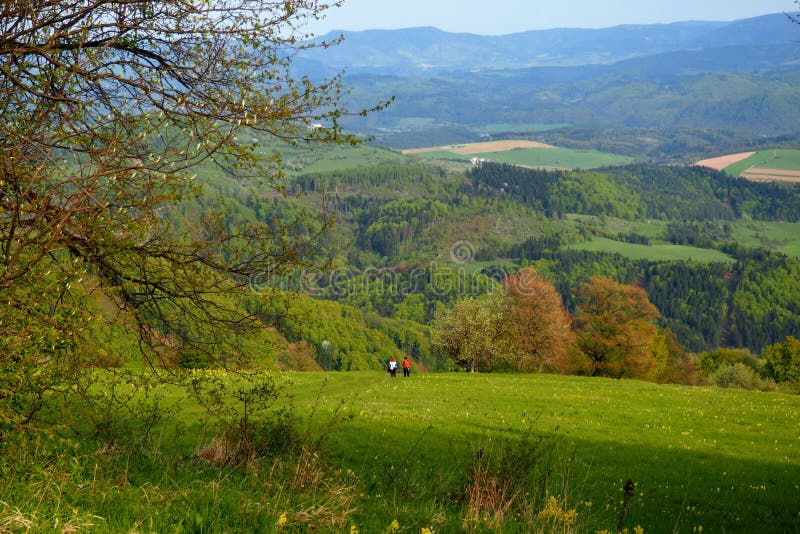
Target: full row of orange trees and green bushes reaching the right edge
[{"x": 613, "y": 332}]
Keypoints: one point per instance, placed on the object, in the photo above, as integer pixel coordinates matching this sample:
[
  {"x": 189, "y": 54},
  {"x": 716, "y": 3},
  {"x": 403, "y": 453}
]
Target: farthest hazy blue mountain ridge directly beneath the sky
[{"x": 427, "y": 49}]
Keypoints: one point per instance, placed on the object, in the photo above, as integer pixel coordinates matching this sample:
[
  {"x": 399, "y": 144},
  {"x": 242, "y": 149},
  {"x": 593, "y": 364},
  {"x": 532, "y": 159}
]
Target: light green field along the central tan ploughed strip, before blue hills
[{"x": 550, "y": 158}]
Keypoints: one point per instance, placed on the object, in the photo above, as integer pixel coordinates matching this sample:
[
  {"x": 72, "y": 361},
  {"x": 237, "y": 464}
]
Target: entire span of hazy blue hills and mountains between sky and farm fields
[{"x": 737, "y": 76}]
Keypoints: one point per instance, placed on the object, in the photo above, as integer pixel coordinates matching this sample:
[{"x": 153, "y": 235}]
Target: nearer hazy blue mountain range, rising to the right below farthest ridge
[{"x": 735, "y": 88}]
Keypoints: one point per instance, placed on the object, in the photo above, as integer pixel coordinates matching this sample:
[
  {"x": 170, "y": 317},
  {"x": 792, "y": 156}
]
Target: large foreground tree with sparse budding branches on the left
[{"x": 108, "y": 108}]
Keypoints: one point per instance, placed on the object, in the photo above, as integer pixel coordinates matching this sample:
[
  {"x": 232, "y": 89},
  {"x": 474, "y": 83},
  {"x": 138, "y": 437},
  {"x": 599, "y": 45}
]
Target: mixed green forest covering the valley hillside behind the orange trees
[{"x": 402, "y": 222}]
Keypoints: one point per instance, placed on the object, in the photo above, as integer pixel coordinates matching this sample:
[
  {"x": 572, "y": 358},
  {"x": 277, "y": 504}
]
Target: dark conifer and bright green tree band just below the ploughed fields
[{"x": 640, "y": 191}]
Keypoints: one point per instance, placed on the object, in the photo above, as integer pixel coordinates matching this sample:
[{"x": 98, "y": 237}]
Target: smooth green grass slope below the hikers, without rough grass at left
[{"x": 722, "y": 459}]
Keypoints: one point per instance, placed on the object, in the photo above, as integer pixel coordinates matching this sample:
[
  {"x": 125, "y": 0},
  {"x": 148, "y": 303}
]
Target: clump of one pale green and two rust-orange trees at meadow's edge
[{"x": 526, "y": 328}]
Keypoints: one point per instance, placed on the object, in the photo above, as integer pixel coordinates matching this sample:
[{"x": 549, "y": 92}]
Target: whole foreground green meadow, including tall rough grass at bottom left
[{"x": 403, "y": 455}]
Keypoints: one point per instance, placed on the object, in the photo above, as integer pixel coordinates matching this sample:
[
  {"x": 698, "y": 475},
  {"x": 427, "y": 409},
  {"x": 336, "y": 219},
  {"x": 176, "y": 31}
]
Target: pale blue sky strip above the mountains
[{"x": 497, "y": 17}]
